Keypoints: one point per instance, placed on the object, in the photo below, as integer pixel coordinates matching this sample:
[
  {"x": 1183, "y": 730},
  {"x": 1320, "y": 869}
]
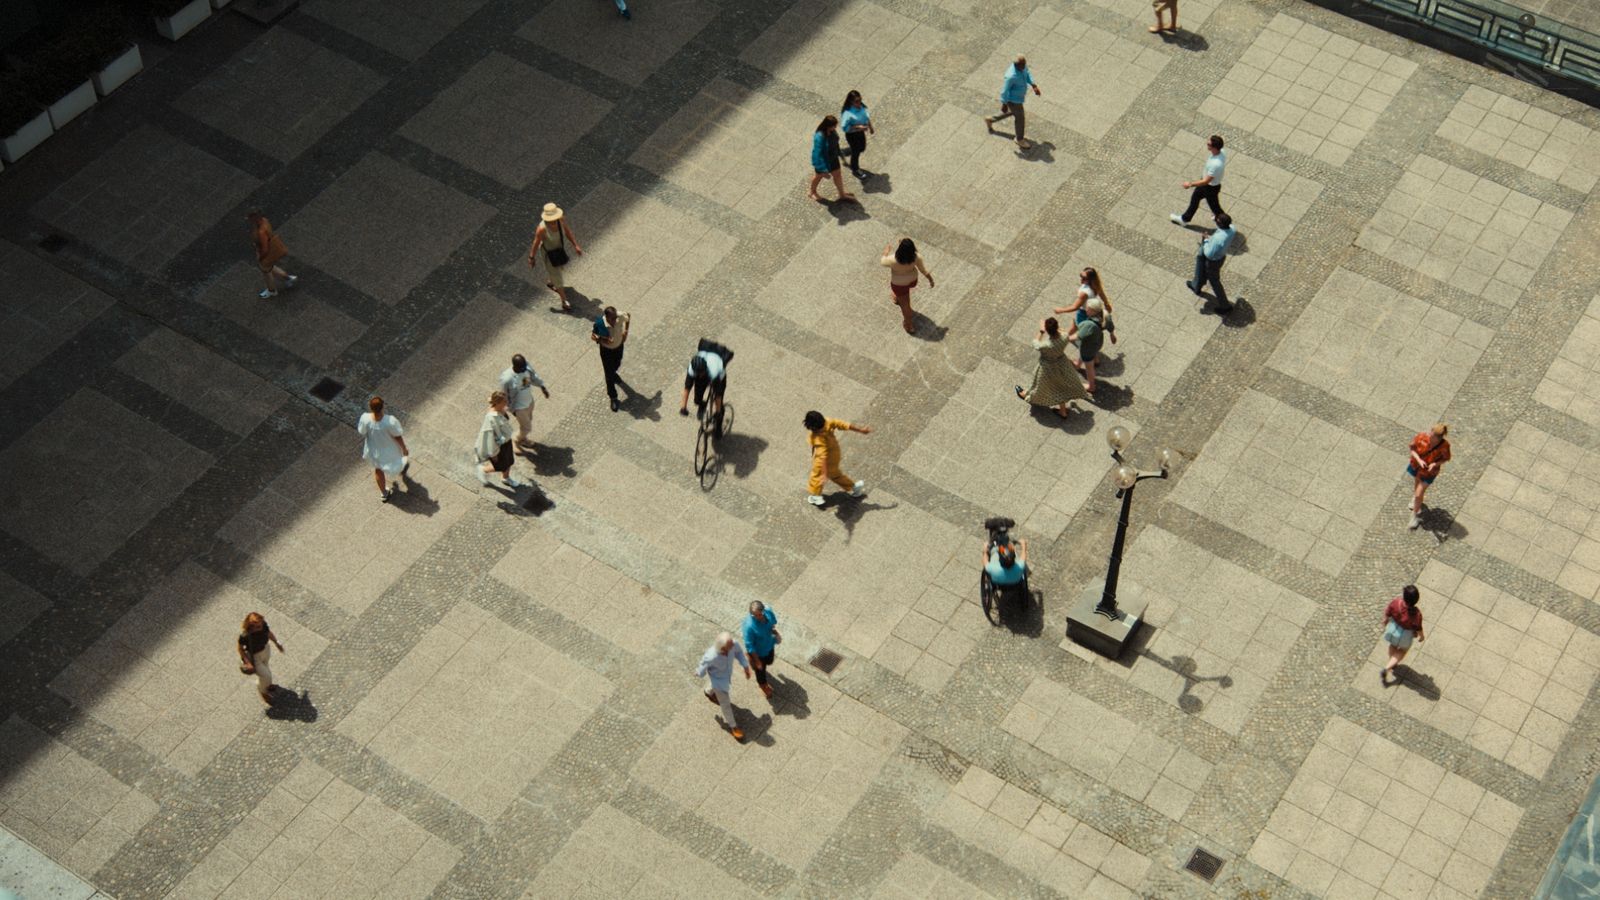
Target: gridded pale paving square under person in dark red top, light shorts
[{"x": 1500, "y": 673}]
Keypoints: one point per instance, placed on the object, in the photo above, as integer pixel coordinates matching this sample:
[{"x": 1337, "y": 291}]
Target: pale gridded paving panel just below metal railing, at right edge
[{"x": 1526, "y": 137}]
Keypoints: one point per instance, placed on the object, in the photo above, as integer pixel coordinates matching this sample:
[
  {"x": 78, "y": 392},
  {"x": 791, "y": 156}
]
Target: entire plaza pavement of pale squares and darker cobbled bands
[{"x": 494, "y": 694}]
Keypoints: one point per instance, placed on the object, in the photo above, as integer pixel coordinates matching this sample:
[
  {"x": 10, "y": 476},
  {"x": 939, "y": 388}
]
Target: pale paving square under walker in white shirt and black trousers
[{"x": 1265, "y": 201}]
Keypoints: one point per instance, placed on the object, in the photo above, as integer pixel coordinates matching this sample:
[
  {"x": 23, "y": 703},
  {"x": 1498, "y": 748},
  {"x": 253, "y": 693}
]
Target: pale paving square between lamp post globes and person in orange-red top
[{"x": 1294, "y": 483}]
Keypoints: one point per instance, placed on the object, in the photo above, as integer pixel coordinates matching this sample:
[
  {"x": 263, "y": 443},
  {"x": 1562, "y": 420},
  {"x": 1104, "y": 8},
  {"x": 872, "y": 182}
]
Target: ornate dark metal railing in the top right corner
[{"x": 1545, "y": 46}]
